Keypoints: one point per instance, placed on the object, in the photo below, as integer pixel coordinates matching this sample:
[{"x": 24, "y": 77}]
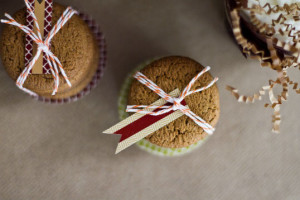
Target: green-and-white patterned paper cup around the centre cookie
[{"x": 145, "y": 144}]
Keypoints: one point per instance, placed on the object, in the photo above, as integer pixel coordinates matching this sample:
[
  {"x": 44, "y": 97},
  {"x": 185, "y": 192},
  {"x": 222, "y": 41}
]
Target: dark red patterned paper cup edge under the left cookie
[{"x": 101, "y": 65}]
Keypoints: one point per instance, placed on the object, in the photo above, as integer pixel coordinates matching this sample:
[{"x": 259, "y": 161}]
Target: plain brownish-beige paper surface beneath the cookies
[{"x": 58, "y": 152}]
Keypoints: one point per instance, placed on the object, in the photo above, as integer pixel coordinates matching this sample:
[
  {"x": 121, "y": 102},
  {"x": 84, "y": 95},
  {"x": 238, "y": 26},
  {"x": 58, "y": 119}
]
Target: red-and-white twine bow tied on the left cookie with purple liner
[{"x": 43, "y": 46}]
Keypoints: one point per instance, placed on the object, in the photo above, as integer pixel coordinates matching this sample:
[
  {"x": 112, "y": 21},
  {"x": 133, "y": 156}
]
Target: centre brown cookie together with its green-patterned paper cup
[{"x": 169, "y": 73}]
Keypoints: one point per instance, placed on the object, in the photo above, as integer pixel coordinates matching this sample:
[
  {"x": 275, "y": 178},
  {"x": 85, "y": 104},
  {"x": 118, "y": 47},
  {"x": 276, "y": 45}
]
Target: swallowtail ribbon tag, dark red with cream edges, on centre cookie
[{"x": 138, "y": 126}]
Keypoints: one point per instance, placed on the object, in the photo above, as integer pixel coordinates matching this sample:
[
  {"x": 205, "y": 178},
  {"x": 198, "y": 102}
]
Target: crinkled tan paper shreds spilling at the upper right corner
[{"x": 280, "y": 64}]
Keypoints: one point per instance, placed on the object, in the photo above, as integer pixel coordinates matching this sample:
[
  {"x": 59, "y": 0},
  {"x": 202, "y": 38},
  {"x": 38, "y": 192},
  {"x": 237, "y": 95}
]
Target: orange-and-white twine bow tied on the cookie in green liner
[{"x": 159, "y": 110}]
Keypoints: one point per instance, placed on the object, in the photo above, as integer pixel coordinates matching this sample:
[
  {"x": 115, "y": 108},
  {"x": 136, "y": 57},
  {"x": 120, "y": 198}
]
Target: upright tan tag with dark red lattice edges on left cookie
[{"x": 43, "y": 11}]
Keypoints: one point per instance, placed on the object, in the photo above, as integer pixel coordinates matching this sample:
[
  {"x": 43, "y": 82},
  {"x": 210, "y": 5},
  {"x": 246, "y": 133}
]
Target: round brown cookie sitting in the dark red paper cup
[{"x": 74, "y": 45}]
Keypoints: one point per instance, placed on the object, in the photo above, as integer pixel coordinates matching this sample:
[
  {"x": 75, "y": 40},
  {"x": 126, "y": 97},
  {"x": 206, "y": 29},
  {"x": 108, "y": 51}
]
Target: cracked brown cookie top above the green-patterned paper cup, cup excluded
[{"x": 170, "y": 73}]
